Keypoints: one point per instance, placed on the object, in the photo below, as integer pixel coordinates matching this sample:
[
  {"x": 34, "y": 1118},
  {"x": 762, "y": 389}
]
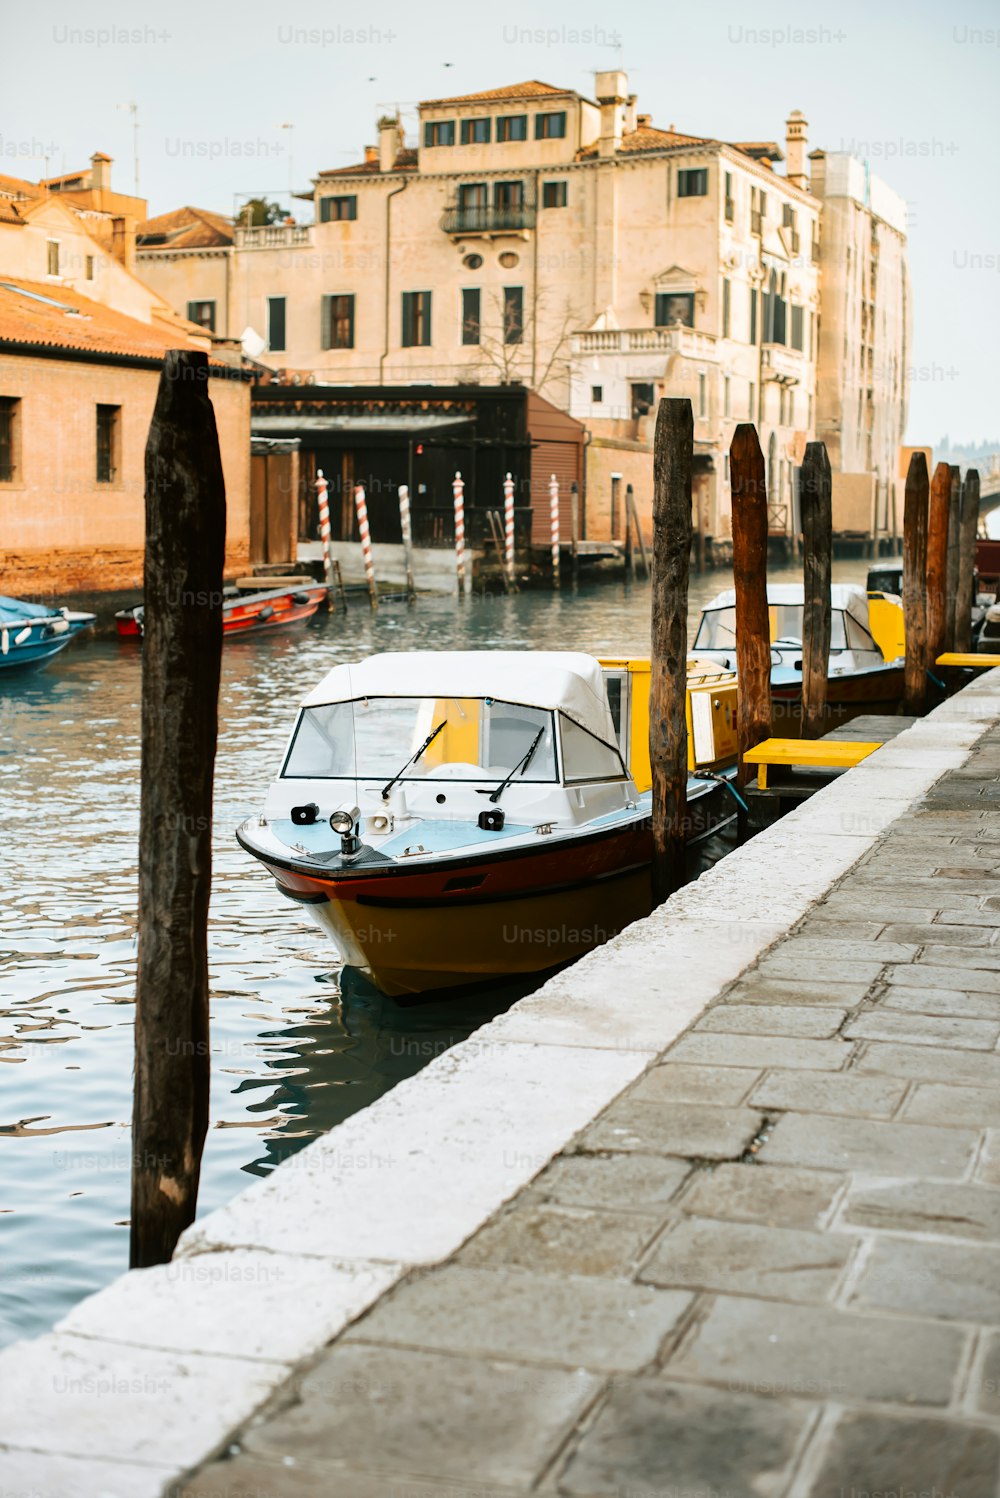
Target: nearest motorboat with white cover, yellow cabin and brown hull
[{"x": 450, "y": 817}]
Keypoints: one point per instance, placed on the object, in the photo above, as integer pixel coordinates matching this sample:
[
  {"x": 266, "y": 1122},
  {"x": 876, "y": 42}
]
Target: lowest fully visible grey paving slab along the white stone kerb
[{"x": 396, "y": 1412}]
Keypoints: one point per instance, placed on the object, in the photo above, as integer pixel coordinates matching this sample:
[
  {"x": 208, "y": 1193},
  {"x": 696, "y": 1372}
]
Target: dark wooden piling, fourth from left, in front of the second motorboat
[{"x": 818, "y": 548}]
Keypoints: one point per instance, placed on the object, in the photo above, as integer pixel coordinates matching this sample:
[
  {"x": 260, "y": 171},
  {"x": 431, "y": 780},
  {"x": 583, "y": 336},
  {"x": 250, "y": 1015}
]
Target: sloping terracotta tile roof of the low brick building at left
[{"x": 56, "y": 317}]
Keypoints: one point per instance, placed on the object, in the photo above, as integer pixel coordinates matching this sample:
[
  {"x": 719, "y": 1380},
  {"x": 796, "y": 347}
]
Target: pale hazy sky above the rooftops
[{"x": 255, "y": 98}]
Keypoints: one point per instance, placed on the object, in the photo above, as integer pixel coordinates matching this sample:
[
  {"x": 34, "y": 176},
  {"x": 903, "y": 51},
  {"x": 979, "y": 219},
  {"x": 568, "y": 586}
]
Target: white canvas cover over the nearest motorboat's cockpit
[{"x": 564, "y": 681}]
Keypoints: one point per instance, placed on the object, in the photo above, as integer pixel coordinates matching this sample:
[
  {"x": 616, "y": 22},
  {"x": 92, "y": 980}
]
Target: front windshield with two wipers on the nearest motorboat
[{"x": 478, "y": 739}]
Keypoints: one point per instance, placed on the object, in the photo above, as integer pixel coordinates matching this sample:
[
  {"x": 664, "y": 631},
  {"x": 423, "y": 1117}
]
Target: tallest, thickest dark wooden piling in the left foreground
[{"x": 182, "y": 652}]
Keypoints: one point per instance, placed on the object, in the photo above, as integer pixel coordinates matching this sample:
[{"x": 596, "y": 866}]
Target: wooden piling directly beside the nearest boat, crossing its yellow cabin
[{"x": 673, "y": 453}]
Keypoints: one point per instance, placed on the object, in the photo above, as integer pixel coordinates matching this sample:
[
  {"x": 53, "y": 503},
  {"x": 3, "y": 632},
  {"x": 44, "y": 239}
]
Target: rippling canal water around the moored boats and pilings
[{"x": 297, "y": 1048}]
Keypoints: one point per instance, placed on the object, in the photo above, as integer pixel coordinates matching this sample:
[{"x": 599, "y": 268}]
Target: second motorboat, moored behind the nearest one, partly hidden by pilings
[{"x": 866, "y": 675}]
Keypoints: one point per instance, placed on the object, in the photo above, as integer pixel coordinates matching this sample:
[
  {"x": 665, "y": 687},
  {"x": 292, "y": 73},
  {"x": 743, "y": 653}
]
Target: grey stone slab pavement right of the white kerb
[{"x": 770, "y": 1268}]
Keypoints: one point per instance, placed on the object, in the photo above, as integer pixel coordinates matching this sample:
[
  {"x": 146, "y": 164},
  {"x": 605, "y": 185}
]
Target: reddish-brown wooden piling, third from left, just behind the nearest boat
[{"x": 751, "y": 577}]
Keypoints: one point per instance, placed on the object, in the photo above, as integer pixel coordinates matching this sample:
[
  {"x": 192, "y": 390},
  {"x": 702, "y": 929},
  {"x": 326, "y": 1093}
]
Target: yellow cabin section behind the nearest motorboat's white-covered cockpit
[{"x": 712, "y": 714}]
